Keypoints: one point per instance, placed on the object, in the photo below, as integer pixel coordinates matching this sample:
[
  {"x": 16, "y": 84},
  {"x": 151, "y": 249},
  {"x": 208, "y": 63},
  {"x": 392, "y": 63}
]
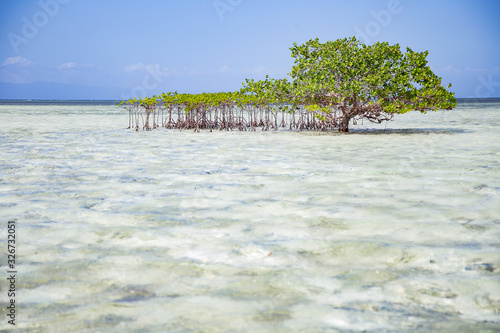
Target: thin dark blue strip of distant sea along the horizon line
[{"x": 115, "y": 102}]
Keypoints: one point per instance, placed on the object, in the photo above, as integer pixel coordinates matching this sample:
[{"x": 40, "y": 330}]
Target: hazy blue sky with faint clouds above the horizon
[{"x": 116, "y": 49}]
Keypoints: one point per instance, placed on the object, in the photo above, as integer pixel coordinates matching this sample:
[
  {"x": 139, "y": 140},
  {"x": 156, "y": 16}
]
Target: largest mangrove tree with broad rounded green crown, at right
[{"x": 365, "y": 81}]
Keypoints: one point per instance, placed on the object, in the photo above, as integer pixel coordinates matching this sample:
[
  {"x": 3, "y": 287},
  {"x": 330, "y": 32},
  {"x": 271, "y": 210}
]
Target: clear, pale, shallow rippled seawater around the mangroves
[{"x": 391, "y": 227}]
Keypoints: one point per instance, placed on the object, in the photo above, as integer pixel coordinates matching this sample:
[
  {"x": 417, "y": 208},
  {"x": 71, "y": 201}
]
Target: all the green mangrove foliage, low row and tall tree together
[{"x": 338, "y": 81}]
